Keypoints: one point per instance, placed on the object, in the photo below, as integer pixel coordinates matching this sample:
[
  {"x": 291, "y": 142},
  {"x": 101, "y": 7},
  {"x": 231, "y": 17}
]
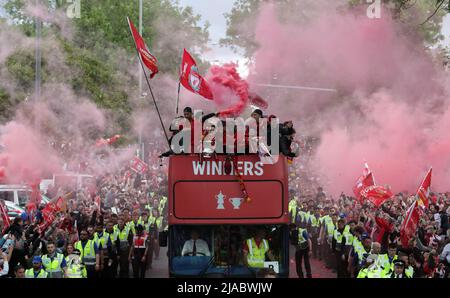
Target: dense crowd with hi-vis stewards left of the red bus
[{"x": 86, "y": 240}]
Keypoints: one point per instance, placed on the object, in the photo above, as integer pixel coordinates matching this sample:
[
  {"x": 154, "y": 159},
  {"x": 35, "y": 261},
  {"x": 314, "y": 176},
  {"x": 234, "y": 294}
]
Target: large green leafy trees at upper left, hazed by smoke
[{"x": 100, "y": 53}]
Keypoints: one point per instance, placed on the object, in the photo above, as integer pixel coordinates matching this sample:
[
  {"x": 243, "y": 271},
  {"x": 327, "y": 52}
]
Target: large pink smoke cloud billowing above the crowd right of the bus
[{"x": 391, "y": 108}]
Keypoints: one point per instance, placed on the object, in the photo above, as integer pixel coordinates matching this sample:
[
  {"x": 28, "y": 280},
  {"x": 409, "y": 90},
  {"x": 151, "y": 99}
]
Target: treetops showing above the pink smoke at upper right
[{"x": 424, "y": 17}]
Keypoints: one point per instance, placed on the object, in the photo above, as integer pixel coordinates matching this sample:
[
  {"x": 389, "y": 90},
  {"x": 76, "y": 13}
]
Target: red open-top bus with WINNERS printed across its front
[{"x": 207, "y": 199}]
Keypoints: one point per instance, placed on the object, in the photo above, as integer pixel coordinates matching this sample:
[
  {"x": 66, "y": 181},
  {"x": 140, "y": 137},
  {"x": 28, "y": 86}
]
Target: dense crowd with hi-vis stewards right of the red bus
[{"x": 364, "y": 241}]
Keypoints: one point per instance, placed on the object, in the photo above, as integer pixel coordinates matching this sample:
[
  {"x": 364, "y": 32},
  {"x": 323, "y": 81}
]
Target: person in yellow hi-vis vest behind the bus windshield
[{"x": 255, "y": 250}]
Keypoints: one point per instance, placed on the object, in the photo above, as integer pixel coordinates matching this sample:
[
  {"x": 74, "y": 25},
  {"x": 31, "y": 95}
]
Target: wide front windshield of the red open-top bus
[{"x": 220, "y": 250}]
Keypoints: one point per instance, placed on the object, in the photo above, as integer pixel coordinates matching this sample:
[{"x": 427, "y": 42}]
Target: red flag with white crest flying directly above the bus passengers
[{"x": 191, "y": 79}]
